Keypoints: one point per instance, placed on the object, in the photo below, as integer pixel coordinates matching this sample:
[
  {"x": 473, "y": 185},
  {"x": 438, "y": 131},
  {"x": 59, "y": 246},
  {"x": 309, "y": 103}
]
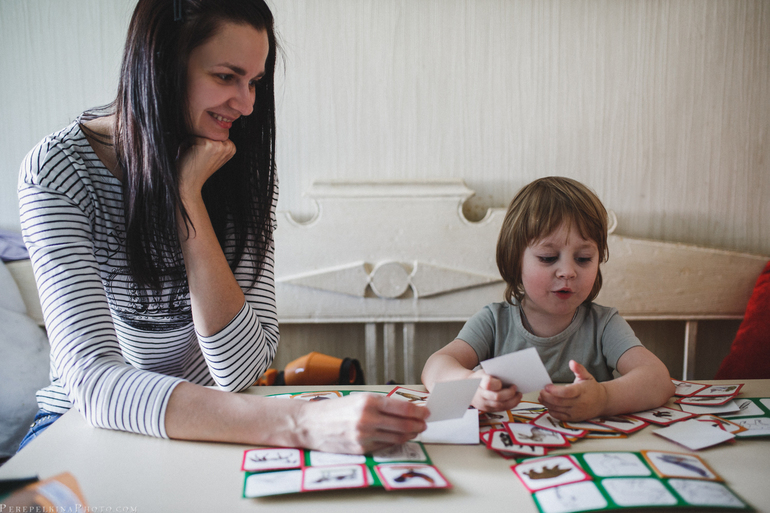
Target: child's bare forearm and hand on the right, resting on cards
[{"x": 644, "y": 384}]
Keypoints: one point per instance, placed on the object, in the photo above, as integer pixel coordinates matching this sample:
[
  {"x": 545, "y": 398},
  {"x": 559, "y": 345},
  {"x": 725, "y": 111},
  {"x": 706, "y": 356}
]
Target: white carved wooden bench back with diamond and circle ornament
[{"x": 398, "y": 253}]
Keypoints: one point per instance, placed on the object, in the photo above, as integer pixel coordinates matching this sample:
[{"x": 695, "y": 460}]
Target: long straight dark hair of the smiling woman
[{"x": 152, "y": 125}]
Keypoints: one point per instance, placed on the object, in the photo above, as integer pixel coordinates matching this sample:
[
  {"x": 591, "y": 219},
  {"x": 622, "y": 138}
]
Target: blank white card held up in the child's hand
[{"x": 522, "y": 368}]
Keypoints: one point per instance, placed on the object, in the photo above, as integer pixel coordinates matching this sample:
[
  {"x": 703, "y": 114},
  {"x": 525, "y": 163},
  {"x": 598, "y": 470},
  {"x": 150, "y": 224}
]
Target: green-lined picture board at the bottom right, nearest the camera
[{"x": 596, "y": 481}]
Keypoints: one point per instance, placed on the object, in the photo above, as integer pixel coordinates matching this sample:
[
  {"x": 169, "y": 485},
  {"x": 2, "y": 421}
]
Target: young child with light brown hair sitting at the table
[{"x": 553, "y": 238}]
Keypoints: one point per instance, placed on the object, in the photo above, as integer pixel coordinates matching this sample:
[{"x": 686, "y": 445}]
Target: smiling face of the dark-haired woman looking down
[{"x": 221, "y": 78}]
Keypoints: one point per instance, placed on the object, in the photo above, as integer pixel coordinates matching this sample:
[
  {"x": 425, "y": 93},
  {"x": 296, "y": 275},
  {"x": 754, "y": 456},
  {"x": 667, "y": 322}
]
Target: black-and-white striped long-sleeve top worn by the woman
[{"x": 118, "y": 350}]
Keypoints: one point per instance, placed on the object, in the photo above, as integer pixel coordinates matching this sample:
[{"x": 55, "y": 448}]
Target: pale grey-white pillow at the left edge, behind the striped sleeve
[{"x": 24, "y": 364}]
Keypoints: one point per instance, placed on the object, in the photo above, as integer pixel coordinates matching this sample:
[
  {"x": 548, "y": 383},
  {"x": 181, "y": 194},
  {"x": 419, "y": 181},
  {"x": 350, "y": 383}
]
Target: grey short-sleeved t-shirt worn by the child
[{"x": 596, "y": 338}]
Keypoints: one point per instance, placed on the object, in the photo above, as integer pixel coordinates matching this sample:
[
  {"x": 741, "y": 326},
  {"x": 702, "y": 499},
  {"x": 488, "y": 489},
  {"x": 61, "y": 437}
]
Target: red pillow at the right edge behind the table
[{"x": 749, "y": 356}]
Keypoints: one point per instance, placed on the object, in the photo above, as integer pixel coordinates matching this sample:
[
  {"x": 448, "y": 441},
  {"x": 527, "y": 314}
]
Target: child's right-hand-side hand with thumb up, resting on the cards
[{"x": 584, "y": 399}]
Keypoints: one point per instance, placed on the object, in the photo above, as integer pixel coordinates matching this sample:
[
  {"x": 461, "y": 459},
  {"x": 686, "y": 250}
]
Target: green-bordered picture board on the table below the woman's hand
[{"x": 277, "y": 471}]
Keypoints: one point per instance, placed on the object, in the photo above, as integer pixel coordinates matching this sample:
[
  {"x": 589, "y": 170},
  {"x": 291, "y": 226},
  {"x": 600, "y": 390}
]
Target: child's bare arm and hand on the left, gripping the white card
[{"x": 456, "y": 361}]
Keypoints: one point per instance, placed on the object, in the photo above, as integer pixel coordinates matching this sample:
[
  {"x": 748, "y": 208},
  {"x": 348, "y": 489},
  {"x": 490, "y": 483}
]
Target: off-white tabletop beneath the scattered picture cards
[{"x": 128, "y": 472}]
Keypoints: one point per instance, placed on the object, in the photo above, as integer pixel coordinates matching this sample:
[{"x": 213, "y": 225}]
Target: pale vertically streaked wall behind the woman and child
[{"x": 662, "y": 107}]
